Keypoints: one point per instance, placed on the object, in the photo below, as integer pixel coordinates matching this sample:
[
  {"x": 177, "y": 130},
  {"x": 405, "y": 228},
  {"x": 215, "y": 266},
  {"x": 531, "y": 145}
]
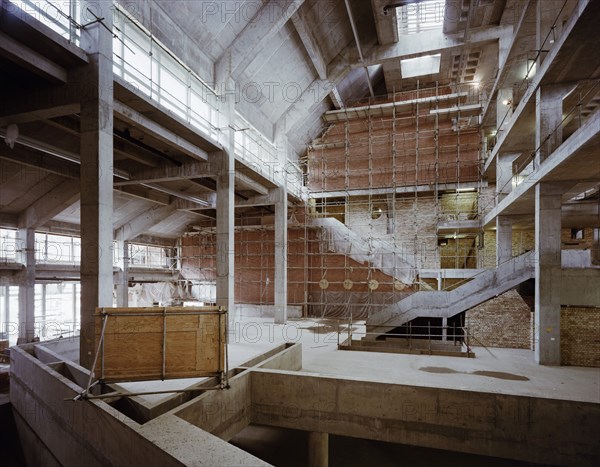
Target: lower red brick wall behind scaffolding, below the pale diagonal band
[{"x": 308, "y": 264}]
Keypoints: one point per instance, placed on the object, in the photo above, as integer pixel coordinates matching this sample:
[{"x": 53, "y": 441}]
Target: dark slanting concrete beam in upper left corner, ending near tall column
[{"x": 23, "y": 56}]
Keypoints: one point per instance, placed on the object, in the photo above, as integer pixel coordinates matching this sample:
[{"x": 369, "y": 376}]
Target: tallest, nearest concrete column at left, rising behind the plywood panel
[{"x": 96, "y": 81}]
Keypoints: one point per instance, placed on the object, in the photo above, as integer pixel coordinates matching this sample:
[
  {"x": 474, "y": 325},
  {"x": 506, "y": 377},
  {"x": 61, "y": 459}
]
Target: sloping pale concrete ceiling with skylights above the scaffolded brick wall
[{"x": 294, "y": 60}]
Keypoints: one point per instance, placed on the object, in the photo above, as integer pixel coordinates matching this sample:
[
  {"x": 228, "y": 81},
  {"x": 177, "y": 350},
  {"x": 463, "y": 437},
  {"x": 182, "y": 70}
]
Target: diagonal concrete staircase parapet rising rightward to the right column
[{"x": 444, "y": 304}]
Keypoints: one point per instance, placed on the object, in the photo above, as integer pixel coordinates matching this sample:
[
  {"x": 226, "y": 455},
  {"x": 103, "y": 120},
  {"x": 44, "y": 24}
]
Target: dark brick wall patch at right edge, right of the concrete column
[{"x": 580, "y": 336}]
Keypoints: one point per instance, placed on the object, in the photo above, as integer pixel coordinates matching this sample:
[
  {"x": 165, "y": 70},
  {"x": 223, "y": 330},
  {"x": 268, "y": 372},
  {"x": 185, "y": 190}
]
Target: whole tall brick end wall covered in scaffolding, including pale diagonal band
[{"x": 383, "y": 177}]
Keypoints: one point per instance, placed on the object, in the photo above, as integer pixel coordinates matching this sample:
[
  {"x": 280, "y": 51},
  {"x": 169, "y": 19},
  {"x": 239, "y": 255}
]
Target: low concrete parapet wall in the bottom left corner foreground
[{"x": 75, "y": 433}]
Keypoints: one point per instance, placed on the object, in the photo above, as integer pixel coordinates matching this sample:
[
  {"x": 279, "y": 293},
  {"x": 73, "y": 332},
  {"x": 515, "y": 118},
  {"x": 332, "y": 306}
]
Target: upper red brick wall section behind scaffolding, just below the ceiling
[{"x": 363, "y": 154}]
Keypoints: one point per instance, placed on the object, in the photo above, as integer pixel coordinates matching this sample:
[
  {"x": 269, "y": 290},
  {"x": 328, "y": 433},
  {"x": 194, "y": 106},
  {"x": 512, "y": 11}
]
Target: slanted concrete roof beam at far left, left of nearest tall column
[{"x": 52, "y": 203}]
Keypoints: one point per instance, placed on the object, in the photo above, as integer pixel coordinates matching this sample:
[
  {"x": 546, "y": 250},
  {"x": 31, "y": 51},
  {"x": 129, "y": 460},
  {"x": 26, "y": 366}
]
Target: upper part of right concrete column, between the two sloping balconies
[{"x": 548, "y": 119}]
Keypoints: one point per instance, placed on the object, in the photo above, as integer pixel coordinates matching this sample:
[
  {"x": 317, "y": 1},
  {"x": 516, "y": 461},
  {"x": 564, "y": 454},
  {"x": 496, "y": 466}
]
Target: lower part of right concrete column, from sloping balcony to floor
[{"x": 547, "y": 273}]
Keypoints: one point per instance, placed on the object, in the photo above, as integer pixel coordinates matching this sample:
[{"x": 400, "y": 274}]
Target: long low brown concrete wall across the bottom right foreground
[{"x": 524, "y": 428}]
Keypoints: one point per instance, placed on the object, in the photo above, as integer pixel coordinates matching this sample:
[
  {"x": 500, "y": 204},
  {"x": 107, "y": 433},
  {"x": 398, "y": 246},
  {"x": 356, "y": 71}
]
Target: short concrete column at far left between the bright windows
[{"x": 26, "y": 280}]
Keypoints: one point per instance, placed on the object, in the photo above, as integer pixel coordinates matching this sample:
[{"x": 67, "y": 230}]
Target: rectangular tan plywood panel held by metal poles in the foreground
[{"x": 160, "y": 343}]
